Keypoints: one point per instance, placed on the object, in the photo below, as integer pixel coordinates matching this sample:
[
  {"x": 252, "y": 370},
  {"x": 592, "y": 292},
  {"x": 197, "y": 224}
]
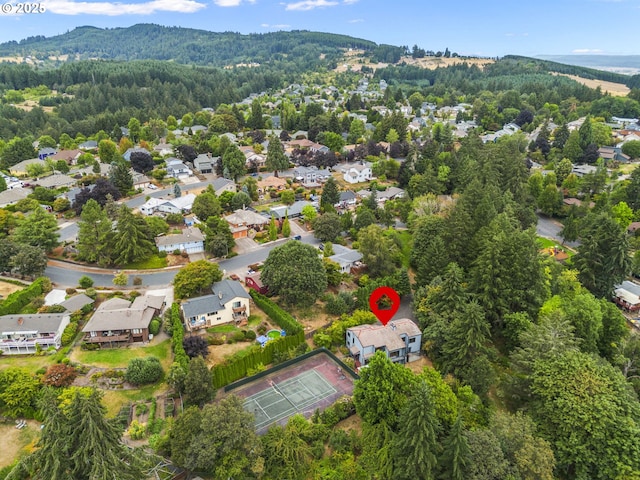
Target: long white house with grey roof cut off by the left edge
[{"x": 26, "y": 334}]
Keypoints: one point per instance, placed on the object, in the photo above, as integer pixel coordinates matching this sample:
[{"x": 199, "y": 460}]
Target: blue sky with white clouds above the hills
[{"x": 488, "y": 28}]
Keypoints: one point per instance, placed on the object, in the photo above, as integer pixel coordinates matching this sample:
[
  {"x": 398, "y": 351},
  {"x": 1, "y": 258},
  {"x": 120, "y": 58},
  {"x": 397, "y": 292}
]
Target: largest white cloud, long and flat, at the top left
[{"x": 69, "y": 7}]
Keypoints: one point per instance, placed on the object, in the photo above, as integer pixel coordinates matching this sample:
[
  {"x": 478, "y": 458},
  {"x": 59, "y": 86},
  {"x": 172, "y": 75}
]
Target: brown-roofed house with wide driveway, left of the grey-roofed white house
[{"x": 119, "y": 322}]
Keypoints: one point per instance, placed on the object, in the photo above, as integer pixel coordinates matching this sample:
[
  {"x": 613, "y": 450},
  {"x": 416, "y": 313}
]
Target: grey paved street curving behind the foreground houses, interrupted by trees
[{"x": 68, "y": 275}]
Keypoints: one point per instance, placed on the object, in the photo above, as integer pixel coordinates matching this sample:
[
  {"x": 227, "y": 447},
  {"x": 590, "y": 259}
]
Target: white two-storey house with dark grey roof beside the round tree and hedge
[{"x": 227, "y": 303}]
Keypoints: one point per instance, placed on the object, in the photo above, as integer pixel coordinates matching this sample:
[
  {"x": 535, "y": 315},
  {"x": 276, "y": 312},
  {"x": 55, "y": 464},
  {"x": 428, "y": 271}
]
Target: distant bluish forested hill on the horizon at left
[{"x": 185, "y": 45}]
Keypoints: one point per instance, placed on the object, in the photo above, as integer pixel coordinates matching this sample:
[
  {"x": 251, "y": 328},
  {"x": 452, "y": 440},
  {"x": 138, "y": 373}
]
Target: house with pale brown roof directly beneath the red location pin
[{"x": 400, "y": 341}]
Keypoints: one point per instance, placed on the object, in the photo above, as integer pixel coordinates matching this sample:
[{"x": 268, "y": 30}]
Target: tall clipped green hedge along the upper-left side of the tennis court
[{"x": 237, "y": 367}]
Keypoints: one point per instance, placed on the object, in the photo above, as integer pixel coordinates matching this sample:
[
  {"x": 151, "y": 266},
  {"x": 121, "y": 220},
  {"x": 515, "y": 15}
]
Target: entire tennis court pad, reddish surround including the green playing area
[{"x": 313, "y": 383}]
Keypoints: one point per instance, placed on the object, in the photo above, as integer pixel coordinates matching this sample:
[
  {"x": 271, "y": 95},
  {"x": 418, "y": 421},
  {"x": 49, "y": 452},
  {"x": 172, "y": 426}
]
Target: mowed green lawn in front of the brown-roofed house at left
[{"x": 120, "y": 357}]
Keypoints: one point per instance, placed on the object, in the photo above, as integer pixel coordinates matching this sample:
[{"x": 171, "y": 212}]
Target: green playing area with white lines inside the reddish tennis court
[{"x": 286, "y": 398}]
